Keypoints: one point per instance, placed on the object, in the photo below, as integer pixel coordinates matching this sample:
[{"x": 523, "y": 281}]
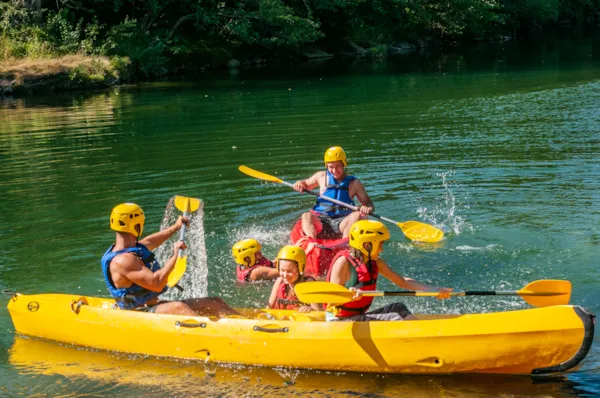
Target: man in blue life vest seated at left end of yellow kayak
[{"x": 133, "y": 275}]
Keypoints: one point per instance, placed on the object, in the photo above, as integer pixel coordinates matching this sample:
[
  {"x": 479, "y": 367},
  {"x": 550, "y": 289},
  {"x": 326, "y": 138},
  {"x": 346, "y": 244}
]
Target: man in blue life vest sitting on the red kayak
[{"x": 327, "y": 219}]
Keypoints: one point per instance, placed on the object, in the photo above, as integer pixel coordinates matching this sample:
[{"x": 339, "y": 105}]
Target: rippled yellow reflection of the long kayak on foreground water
[{"x": 43, "y": 367}]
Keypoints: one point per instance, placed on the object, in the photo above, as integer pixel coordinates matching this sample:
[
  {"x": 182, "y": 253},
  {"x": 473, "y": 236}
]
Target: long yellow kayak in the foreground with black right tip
[{"x": 532, "y": 341}]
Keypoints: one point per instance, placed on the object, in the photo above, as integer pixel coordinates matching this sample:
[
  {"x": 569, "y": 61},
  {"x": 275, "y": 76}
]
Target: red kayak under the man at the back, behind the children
[{"x": 319, "y": 259}]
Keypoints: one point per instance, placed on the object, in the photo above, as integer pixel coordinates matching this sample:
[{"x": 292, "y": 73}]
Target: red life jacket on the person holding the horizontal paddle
[{"x": 367, "y": 281}]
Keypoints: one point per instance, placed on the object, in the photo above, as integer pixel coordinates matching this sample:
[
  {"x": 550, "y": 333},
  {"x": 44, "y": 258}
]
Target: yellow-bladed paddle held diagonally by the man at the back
[{"x": 413, "y": 230}]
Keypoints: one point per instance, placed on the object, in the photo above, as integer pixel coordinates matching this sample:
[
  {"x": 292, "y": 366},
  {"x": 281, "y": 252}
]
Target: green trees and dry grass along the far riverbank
[{"x": 122, "y": 39}]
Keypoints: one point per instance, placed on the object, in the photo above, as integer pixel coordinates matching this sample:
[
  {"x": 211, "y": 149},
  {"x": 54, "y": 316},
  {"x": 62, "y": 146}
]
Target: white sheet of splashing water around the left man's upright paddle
[{"x": 195, "y": 280}]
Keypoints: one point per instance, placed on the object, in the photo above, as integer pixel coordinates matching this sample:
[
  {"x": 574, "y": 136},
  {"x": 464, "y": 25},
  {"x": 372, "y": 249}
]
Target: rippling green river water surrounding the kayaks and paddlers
[{"x": 498, "y": 145}]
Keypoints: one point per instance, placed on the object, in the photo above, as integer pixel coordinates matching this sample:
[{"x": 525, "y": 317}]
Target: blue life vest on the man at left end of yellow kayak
[{"x": 135, "y": 295}]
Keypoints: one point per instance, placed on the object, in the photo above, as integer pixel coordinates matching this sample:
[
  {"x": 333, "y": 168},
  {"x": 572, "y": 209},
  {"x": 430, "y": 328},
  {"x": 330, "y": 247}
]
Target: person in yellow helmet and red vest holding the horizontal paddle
[{"x": 358, "y": 268}]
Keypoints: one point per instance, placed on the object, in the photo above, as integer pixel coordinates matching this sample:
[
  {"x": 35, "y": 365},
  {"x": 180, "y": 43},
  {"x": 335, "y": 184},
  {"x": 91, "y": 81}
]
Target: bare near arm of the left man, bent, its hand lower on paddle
[{"x": 127, "y": 266}]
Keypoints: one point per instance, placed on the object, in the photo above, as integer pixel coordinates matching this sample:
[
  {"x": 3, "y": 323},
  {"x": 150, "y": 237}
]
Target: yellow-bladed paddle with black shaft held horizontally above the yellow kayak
[{"x": 542, "y": 293}]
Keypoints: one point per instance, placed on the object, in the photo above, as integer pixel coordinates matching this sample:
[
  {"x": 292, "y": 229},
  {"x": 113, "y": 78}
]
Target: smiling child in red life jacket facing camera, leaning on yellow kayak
[{"x": 290, "y": 263}]
